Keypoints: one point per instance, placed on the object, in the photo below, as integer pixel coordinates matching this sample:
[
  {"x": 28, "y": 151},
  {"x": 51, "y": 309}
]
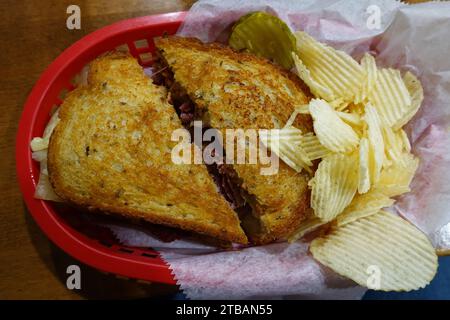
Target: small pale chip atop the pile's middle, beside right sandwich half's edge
[{"x": 331, "y": 130}]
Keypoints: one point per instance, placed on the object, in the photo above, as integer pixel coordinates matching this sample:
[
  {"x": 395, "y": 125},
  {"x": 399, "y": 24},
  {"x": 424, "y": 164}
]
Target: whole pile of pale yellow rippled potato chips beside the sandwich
[{"x": 358, "y": 113}]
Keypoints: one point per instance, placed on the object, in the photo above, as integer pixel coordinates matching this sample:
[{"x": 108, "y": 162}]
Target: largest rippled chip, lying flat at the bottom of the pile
[{"x": 381, "y": 251}]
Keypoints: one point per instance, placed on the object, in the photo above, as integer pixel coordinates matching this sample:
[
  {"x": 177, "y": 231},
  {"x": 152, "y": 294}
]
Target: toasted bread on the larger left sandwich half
[{"x": 112, "y": 148}]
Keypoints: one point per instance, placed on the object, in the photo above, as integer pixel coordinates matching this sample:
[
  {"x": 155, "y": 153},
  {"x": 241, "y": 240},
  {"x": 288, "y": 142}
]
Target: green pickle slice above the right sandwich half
[{"x": 264, "y": 35}]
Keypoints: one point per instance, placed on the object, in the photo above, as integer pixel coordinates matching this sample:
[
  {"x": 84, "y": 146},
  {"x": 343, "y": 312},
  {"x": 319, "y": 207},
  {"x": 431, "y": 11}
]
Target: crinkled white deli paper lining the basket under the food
[{"x": 408, "y": 37}]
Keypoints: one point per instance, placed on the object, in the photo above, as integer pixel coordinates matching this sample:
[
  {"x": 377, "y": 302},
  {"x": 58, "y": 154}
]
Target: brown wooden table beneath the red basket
[{"x": 33, "y": 33}]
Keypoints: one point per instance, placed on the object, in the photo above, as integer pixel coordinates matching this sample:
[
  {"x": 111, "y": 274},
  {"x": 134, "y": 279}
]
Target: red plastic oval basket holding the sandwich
[{"x": 137, "y": 35}]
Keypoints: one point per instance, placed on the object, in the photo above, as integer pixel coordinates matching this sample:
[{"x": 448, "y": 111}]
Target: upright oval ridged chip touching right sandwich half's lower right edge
[{"x": 334, "y": 185}]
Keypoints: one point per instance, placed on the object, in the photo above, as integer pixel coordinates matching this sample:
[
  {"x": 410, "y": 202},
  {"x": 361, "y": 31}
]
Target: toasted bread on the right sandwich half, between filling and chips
[{"x": 239, "y": 90}]
